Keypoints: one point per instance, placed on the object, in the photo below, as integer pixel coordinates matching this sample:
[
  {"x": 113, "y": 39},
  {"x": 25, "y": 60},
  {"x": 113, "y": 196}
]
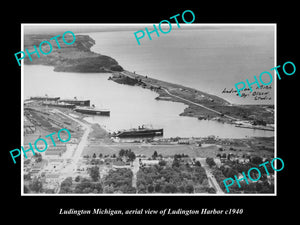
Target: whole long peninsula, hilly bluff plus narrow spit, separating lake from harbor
[{"x": 78, "y": 57}]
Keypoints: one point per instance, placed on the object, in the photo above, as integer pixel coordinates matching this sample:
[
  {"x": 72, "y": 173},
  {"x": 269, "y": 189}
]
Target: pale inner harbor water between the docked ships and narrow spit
[{"x": 130, "y": 106}]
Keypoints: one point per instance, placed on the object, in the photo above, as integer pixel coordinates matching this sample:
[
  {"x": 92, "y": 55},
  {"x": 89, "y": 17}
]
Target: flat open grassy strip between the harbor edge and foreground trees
[{"x": 251, "y": 146}]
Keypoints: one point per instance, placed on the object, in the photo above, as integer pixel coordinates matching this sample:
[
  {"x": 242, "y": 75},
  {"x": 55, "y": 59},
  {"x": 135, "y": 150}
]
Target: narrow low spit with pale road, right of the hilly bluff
[{"x": 200, "y": 104}]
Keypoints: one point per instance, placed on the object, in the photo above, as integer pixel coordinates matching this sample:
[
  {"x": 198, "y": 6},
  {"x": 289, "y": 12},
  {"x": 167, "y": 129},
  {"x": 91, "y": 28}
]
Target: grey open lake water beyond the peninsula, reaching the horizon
[{"x": 206, "y": 58}]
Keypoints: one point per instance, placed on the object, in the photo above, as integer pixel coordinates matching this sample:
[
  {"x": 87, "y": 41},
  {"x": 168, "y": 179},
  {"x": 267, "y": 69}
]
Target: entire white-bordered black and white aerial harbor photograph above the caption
[{"x": 162, "y": 117}]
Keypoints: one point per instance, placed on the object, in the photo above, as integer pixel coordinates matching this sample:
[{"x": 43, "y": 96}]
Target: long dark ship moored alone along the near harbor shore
[{"x": 139, "y": 132}]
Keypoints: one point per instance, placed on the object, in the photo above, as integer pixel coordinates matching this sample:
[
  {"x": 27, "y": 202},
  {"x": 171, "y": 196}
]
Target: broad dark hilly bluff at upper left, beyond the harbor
[{"x": 77, "y": 57}]
